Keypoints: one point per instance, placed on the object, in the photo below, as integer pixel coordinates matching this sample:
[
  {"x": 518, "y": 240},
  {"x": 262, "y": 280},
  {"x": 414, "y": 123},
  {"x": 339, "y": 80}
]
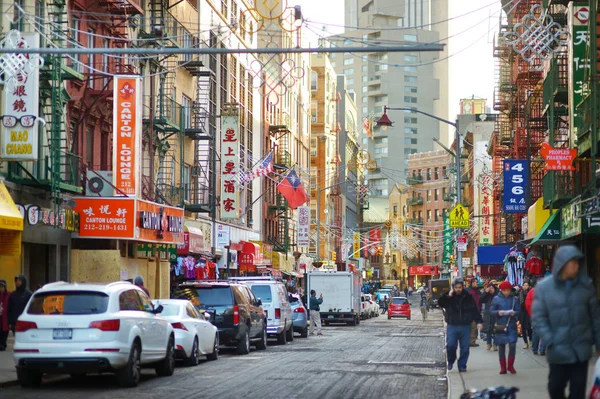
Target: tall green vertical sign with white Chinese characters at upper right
[{"x": 579, "y": 63}]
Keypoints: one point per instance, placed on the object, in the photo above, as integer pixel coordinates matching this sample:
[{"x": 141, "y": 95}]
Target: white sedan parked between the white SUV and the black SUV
[{"x": 194, "y": 335}]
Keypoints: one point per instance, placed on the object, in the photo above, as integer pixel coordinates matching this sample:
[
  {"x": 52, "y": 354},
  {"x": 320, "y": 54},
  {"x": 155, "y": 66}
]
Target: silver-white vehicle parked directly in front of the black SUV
[{"x": 275, "y": 302}]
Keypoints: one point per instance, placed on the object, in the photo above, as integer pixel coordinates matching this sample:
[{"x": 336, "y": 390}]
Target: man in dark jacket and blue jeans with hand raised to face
[{"x": 460, "y": 311}]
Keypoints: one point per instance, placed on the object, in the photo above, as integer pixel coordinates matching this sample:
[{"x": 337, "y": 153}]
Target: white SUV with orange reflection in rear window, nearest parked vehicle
[{"x": 85, "y": 328}]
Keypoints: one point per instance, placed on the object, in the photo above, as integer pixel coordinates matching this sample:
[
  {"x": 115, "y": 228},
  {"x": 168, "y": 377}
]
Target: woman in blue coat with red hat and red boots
[{"x": 506, "y": 308}]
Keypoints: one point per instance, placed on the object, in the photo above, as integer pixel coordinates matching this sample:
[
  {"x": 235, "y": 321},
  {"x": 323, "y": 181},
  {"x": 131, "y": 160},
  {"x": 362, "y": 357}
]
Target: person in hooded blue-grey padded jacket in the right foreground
[{"x": 567, "y": 318}]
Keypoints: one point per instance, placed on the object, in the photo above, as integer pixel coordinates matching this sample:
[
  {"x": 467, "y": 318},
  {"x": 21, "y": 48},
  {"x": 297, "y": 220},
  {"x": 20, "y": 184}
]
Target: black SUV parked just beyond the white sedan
[{"x": 234, "y": 310}]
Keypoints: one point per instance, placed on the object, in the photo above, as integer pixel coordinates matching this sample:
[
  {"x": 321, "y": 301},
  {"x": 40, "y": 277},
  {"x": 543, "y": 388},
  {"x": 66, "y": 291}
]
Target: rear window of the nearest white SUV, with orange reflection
[{"x": 68, "y": 303}]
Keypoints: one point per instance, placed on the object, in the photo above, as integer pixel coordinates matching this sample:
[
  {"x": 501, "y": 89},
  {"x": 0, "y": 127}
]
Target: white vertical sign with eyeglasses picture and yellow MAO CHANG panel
[{"x": 20, "y": 112}]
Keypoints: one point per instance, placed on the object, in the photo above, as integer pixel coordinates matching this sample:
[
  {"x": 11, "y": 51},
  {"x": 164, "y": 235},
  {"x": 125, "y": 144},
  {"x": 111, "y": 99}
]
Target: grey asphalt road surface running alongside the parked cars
[{"x": 380, "y": 358}]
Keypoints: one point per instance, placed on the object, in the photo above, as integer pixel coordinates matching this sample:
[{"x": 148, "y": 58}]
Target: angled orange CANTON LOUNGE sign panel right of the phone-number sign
[{"x": 159, "y": 223}]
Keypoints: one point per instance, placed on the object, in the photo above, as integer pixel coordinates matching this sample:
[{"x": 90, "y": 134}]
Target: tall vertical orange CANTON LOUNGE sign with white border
[{"x": 127, "y": 126}]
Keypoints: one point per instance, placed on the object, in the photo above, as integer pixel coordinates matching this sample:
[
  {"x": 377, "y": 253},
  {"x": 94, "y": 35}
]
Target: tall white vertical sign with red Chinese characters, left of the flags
[{"x": 230, "y": 162}]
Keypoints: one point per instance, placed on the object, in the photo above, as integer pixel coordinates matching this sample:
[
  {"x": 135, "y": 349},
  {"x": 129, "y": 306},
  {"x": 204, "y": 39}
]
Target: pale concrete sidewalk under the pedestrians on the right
[{"x": 483, "y": 368}]
